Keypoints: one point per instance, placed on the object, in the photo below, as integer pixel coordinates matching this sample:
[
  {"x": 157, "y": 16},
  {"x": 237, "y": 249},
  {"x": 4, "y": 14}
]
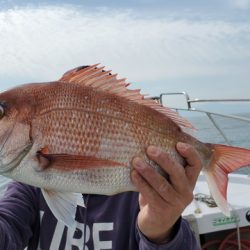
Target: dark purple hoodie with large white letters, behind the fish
[{"x": 107, "y": 222}]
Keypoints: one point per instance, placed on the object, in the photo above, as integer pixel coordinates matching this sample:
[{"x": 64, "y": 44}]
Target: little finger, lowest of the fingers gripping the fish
[{"x": 150, "y": 196}]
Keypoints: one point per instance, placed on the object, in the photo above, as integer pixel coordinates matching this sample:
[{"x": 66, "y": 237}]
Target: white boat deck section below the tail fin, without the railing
[{"x": 214, "y": 230}]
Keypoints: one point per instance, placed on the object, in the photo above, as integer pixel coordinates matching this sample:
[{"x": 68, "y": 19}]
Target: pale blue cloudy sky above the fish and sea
[{"x": 197, "y": 46}]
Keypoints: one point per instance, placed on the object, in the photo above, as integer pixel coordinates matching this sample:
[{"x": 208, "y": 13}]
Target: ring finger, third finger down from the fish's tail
[{"x": 156, "y": 181}]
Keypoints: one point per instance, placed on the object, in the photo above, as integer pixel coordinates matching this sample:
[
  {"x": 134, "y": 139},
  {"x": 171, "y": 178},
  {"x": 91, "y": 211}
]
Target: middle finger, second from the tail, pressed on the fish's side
[{"x": 173, "y": 168}]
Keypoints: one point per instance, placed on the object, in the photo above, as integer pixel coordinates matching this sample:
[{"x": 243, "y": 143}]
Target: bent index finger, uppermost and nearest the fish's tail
[{"x": 193, "y": 160}]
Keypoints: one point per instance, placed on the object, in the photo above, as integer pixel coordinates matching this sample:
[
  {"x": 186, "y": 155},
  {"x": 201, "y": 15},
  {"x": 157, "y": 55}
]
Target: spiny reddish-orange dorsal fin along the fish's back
[{"x": 96, "y": 77}]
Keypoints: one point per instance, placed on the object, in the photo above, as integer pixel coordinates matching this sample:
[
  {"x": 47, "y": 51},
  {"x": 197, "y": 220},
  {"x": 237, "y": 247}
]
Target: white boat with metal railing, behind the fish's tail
[{"x": 212, "y": 229}]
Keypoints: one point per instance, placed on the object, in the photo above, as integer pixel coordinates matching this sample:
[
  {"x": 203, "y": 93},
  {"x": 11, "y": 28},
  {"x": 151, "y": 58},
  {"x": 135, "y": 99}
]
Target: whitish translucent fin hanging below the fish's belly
[{"x": 63, "y": 205}]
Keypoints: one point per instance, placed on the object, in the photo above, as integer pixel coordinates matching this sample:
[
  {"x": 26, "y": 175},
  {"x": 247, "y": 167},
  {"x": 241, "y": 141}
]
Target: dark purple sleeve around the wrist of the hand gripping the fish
[{"x": 182, "y": 238}]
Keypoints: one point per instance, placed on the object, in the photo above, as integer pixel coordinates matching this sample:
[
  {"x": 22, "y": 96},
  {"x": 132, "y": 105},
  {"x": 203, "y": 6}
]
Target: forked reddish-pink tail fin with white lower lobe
[{"x": 225, "y": 160}]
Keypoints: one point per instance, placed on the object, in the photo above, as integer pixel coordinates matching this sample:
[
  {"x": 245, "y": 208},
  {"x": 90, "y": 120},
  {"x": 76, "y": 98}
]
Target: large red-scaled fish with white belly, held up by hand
[{"x": 78, "y": 135}]
